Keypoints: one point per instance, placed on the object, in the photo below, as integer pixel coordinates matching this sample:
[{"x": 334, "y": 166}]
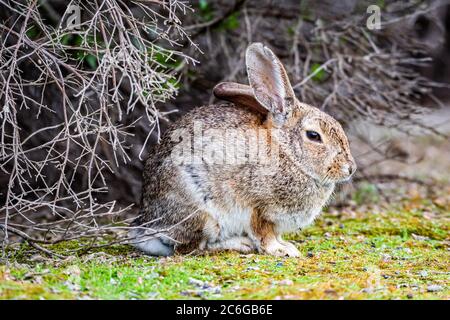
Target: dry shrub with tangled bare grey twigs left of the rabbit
[{"x": 79, "y": 103}]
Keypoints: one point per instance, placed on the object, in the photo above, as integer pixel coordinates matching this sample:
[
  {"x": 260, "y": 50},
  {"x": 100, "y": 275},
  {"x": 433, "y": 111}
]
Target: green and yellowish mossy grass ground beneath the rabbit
[{"x": 398, "y": 252}]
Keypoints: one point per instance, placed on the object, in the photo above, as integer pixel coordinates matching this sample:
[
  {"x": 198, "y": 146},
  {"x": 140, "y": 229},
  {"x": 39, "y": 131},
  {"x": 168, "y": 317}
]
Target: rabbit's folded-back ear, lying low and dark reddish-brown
[{"x": 239, "y": 94}]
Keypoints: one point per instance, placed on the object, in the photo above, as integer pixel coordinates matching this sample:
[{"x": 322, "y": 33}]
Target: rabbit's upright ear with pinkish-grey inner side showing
[{"x": 269, "y": 81}]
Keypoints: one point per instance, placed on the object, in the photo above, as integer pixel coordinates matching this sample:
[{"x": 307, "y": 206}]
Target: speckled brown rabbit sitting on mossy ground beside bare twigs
[{"x": 200, "y": 206}]
